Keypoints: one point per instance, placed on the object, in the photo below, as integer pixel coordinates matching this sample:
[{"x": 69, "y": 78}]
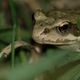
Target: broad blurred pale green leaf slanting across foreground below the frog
[{"x": 39, "y": 66}]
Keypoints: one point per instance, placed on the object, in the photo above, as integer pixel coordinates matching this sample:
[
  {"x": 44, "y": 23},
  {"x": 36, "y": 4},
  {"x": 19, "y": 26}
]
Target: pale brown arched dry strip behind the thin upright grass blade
[{"x": 34, "y": 50}]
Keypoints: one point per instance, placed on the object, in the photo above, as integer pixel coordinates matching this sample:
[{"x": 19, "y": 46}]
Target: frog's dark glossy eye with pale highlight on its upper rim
[{"x": 63, "y": 29}]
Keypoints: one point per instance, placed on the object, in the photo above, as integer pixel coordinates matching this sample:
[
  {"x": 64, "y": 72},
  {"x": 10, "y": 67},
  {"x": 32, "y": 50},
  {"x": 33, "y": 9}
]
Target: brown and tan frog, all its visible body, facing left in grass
[{"x": 60, "y": 29}]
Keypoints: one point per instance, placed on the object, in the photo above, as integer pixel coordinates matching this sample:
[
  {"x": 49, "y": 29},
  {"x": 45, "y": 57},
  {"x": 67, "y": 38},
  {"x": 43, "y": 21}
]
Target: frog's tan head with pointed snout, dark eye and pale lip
[{"x": 47, "y": 30}]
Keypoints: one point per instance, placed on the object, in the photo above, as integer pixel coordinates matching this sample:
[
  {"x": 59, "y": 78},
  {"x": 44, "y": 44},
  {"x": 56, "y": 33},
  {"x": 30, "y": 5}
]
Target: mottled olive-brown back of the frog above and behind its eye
[{"x": 71, "y": 15}]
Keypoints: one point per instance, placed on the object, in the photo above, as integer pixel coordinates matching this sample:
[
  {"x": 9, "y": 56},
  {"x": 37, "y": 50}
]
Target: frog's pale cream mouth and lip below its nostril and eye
[{"x": 58, "y": 40}]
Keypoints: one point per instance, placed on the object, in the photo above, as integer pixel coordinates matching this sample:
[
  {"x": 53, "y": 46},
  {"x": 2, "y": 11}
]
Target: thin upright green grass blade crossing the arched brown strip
[{"x": 11, "y": 4}]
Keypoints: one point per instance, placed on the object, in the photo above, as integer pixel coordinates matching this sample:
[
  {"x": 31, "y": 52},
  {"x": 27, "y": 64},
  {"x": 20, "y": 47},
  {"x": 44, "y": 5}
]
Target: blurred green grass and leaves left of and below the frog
[{"x": 52, "y": 64}]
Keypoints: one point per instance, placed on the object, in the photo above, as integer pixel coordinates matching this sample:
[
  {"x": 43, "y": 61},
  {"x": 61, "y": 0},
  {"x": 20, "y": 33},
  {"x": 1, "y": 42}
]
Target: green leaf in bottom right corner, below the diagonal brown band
[{"x": 72, "y": 74}]
